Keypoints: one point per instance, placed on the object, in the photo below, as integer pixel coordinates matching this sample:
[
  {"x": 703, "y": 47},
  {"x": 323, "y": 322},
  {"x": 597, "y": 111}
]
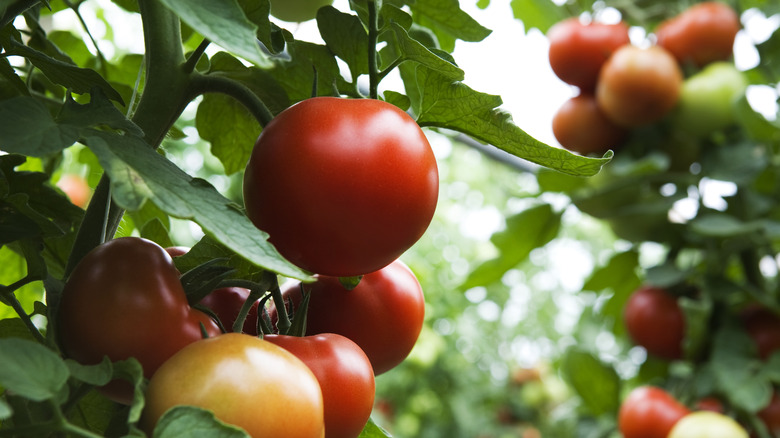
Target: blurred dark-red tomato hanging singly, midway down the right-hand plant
[{"x": 655, "y": 321}]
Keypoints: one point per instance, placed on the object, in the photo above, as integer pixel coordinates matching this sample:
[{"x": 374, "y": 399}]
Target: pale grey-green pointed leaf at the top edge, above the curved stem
[{"x": 224, "y": 23}]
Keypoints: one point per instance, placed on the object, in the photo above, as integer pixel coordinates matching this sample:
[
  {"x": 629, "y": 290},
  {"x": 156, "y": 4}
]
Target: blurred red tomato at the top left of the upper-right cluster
[{"x": 578, "y": 50}]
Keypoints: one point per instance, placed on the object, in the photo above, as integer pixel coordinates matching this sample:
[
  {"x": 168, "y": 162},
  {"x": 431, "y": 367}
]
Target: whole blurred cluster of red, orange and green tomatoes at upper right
[{"x": 624, "y": 86}]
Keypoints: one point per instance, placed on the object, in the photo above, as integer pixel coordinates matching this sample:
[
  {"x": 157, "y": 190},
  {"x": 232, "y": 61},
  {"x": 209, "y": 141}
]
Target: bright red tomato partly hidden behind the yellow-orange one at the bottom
[{"x": 345, "y": 376}]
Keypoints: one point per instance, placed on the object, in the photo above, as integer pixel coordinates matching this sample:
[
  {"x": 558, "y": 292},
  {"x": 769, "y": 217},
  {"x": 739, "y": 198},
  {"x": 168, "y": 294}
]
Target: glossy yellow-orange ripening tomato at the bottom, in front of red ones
[{"x": 245, "y": 381}]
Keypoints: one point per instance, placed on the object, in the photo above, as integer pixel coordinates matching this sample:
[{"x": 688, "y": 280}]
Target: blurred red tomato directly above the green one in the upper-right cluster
[{"x": 701, "y": 34}]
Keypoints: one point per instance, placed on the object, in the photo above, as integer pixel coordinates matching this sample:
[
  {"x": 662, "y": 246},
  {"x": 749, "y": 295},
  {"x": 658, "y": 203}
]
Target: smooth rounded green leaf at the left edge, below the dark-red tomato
[{"x": 31, "y": 370}]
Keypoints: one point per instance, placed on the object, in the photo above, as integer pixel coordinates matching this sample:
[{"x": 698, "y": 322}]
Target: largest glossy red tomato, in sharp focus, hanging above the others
[{"x": 342, "y": 186}]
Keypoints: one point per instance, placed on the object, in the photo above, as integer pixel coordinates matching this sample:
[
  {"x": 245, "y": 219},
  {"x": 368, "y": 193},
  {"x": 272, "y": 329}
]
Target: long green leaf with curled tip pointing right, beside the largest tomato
[{"x": 453, "y": 105}]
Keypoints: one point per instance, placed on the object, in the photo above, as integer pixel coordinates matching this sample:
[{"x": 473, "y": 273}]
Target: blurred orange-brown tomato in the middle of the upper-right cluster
[{"x": 639, "y": 86}]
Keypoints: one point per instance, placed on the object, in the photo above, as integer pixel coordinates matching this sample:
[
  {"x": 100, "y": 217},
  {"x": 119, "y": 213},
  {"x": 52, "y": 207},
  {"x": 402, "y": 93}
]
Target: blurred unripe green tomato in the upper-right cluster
[{"x": 707, "y": 99}]
